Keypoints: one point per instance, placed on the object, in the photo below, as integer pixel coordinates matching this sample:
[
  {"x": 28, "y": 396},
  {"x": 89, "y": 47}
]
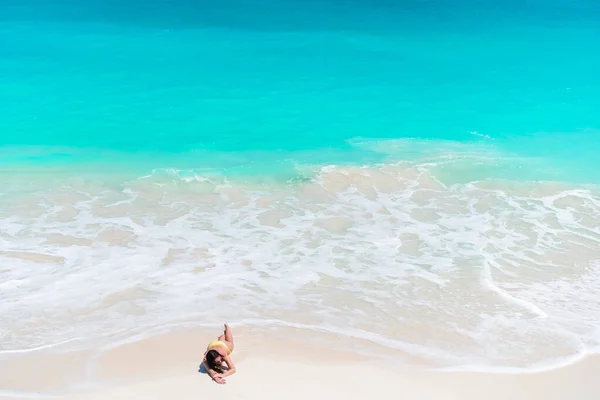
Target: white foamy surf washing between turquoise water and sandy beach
[{"x": 486, "y": 274}]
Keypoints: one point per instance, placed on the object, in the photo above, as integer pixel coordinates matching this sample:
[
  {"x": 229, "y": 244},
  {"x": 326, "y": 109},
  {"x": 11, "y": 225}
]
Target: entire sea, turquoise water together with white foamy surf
[{"x": 419, "y": 175}]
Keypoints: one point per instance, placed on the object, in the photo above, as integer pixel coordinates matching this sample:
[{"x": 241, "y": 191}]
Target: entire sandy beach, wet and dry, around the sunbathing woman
[{"x": 168, "y": 365}]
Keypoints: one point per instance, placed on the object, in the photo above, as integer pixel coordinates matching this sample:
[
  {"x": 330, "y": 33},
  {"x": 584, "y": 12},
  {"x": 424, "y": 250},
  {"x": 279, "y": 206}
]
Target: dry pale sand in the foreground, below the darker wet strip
[{"x": 266, "y": 379}]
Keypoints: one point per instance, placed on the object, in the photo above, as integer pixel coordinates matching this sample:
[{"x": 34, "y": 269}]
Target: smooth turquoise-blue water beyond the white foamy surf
[{"x": 261, "y": 86}]
